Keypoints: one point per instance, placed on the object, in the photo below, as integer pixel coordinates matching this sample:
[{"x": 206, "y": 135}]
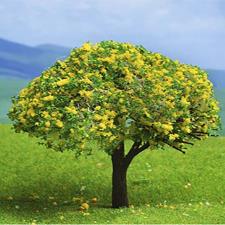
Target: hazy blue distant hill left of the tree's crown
[{"x": 22, "y": 61}]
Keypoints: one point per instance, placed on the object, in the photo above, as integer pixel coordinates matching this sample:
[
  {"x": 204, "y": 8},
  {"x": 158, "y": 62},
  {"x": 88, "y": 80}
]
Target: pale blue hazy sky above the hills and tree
[{"x": 192, "y": 31}]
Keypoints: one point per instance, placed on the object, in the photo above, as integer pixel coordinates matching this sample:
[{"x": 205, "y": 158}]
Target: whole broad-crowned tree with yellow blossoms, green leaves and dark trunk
[{"x": 109, "y": 92}]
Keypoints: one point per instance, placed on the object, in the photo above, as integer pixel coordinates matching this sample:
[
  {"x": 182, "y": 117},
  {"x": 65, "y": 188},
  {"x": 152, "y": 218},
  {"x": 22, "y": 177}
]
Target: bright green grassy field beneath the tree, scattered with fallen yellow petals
[{"x": 43, "y": 186}]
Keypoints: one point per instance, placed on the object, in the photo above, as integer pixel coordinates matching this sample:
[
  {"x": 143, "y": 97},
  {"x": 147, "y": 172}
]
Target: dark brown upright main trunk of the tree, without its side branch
[{"x": 119, "y": 182}]
